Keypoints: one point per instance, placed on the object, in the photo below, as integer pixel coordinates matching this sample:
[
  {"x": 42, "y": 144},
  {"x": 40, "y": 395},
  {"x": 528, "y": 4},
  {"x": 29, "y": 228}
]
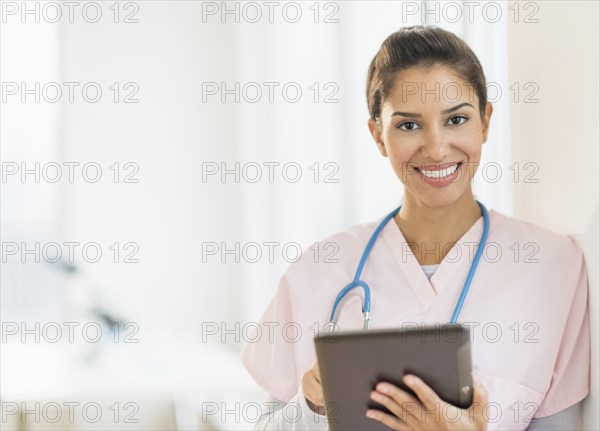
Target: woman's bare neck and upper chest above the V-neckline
[{"x": 432, "y": 231}]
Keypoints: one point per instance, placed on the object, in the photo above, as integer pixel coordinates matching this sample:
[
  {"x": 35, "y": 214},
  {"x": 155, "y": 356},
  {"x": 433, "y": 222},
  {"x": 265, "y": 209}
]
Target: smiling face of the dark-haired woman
[{"x": 432, "y": 132}]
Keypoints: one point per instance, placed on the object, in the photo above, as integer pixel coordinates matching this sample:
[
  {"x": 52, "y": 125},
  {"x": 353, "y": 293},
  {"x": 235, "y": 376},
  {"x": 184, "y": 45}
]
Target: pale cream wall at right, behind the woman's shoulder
[{"x": 560, "y": 134}]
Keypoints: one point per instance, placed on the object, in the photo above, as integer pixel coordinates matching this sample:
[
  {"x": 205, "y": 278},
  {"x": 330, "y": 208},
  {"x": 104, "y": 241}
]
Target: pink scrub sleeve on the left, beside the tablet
[{"x": 268, "y": 357}]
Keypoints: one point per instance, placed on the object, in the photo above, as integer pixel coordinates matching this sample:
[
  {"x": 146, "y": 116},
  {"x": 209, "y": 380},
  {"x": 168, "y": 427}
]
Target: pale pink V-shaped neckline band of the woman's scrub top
[{"x": 427, "y": 290}]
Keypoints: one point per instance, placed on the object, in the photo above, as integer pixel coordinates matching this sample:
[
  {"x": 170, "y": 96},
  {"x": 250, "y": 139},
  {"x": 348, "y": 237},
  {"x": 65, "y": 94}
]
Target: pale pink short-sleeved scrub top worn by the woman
[{"x": 526, "y": 309}]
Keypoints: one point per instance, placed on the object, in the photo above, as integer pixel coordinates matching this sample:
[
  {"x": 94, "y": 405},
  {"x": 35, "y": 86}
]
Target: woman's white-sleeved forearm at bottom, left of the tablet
[{"x": 294, "y": 415}]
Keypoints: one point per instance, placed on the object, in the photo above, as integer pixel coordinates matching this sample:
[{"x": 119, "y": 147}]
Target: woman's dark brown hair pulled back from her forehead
[{"x": 422, "y": 47}]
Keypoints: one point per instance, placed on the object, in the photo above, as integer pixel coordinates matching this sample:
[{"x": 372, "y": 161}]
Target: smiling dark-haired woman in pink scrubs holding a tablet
[{"x": 527, "y": 305}]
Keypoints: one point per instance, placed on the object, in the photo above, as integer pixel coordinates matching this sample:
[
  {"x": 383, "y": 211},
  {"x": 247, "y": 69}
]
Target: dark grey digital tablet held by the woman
[{"x": 353, "y": 362}]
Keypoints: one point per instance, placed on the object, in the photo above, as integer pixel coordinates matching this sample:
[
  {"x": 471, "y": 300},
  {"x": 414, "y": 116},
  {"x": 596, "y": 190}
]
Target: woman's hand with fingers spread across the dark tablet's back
[{"x": 431, "y": 413}]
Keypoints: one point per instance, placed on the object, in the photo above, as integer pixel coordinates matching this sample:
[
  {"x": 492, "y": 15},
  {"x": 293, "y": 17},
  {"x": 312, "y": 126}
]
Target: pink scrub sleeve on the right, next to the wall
[{"x": 570, "y": 379}]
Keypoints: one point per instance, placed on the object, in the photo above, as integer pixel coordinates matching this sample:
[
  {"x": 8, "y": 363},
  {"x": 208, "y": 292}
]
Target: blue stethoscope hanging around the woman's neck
[{"x": 358, "y": 282}]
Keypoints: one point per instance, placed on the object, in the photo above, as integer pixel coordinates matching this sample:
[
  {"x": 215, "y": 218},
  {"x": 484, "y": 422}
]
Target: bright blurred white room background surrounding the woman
[{"x": 163, "y": 163}]
